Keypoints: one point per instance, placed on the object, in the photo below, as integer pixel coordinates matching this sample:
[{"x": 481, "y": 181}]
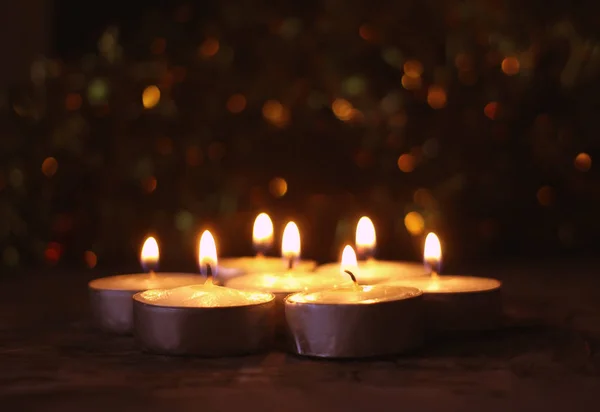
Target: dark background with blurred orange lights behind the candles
[{"x": 493, "y": 145}]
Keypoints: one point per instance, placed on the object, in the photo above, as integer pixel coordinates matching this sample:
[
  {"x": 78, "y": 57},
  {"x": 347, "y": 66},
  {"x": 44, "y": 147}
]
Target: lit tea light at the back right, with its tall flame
[{"x": 374, "y": 271}]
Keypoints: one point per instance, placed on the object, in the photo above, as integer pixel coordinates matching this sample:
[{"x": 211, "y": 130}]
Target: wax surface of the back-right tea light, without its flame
[{"x": 375, "y": 271}]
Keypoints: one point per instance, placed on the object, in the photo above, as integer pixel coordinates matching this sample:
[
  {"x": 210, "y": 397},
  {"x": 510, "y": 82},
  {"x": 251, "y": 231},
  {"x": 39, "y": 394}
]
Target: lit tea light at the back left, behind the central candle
[{"x": 262, "y": 239}]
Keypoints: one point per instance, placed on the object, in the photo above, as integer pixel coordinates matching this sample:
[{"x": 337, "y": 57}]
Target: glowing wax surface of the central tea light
[{"x": 293, "y": 281}]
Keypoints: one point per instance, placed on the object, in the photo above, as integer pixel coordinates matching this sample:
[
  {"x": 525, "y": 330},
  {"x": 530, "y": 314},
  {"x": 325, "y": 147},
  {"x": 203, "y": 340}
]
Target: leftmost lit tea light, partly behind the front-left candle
[{"x": 110, "y": 297}]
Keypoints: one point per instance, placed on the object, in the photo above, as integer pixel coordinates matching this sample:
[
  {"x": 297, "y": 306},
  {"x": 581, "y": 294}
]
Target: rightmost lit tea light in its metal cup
[{"x": 454, "y": 303}]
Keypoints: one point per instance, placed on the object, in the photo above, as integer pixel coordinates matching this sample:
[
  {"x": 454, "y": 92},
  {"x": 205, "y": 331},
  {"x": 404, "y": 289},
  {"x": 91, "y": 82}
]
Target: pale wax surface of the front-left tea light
[{"x": 203, "y": 296}]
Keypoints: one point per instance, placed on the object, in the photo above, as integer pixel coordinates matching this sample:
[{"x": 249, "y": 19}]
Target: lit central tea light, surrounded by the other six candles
[{"x": 291, "y": 281}]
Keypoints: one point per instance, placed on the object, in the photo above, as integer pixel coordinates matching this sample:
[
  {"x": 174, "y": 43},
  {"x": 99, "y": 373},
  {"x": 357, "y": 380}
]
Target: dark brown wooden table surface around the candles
[{"x": 548, "y": 356}]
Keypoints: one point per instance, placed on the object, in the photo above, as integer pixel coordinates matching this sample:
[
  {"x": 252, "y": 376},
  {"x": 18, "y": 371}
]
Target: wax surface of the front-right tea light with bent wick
[{"x": 356, "y": 294}]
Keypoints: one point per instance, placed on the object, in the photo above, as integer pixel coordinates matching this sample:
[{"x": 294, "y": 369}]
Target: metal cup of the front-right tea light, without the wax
[{"x": 355, "y": 330}]
